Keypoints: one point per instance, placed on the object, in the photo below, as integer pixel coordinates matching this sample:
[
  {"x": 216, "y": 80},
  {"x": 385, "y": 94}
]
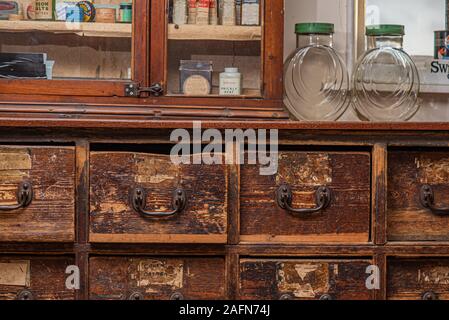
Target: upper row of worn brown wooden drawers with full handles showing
[{"x": 315, "y": 196}]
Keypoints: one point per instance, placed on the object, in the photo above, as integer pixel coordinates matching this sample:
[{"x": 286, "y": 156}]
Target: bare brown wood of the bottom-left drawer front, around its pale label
[{"x": 46, "y": 276}]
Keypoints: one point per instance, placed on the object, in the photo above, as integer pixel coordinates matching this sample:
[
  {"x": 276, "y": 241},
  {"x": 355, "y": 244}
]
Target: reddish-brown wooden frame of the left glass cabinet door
[{"x": 88, "y": 88}]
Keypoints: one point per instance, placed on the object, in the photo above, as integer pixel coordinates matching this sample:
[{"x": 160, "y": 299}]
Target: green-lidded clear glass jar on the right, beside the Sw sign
[{"x": 385, "y": 80}]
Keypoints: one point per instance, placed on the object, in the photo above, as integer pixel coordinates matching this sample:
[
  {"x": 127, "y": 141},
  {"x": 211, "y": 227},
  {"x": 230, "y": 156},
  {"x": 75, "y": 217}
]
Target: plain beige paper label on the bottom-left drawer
[{"x": 15, "y": 273}]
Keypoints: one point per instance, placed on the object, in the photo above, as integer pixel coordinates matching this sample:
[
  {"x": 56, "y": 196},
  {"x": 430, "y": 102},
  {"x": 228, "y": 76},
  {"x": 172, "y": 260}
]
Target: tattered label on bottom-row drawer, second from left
[{"x": 153, "y": 274}]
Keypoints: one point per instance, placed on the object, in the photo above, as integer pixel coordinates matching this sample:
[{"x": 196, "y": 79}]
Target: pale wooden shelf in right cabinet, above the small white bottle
[{"x": 208, "y": 32}]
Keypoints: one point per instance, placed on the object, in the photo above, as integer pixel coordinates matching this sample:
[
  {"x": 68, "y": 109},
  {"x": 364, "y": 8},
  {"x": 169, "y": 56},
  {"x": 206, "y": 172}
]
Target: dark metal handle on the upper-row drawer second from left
[{"x": 138, "y": 202}]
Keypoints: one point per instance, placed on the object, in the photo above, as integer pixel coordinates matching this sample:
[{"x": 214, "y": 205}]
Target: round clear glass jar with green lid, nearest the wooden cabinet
[{"x": 315, "y": 77}]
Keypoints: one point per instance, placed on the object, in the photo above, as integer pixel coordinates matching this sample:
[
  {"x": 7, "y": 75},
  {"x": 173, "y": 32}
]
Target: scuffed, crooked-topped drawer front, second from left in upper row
[{"x": 116, "y": 176}]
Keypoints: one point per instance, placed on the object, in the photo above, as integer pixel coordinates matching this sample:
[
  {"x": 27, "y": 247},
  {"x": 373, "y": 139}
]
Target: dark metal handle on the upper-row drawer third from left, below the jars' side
[{"x": 284, "y": 198}]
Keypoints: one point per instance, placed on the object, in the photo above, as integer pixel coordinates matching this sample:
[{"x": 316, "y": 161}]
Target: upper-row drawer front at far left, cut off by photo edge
[{"x": 49, "y": 213}]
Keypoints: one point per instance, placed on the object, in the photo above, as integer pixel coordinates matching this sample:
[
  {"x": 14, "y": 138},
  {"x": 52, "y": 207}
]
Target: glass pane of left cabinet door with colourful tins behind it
[{"x": 67, "y": 40}]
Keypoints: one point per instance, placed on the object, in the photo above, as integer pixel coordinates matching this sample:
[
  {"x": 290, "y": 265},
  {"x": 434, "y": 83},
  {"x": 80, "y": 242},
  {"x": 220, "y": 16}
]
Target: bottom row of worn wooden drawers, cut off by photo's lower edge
[{"x": 198, "y": 278}]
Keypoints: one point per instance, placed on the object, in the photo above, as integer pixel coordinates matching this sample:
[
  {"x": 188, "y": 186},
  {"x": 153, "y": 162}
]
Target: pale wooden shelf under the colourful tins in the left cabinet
[{"x": 85, "y": 29}]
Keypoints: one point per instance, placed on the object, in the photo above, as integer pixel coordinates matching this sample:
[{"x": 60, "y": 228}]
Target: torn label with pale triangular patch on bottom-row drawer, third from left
[{"x": 303, "y": 280}]
